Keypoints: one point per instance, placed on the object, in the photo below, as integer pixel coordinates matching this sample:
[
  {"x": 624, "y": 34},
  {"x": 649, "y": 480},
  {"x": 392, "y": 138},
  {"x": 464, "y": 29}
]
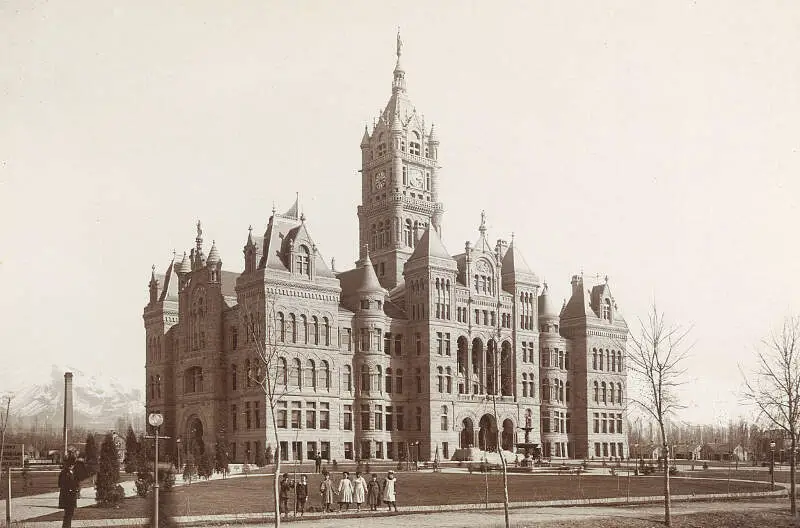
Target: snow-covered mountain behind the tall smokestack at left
[{"x": 99, "y": 402}]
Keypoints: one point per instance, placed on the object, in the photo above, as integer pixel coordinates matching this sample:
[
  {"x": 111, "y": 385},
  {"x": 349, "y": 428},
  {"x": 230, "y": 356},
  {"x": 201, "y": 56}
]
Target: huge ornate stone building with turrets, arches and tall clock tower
[{"x": 407, "y": 353}]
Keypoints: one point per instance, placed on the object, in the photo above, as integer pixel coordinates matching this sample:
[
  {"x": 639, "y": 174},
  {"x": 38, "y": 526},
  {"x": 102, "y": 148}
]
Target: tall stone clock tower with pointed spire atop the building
[{"x": 399, "y": 183}]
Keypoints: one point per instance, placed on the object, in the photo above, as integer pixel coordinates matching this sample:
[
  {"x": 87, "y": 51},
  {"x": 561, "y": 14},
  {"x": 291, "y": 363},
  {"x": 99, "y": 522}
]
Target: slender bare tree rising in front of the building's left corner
[{"x": 269, "y": 373}]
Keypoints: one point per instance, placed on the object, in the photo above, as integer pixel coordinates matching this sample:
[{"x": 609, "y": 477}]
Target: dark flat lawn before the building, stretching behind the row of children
[{"x": 253, "y": 494}]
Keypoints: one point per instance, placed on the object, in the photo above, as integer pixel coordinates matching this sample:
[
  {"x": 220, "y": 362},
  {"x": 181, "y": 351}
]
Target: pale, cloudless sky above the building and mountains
[{"x": 653, "y": 142}]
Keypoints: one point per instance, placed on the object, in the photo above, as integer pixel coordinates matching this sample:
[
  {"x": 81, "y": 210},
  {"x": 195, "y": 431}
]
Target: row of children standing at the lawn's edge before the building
[{"x": 357, "y": 491}]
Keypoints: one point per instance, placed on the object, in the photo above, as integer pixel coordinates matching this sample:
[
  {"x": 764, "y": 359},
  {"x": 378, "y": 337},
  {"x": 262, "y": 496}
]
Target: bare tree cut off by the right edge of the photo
[{"x": 774, "y": 387}]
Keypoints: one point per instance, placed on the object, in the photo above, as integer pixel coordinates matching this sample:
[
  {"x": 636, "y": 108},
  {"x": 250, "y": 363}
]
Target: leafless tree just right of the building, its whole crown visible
[{"x": 655, "y": 356}]
